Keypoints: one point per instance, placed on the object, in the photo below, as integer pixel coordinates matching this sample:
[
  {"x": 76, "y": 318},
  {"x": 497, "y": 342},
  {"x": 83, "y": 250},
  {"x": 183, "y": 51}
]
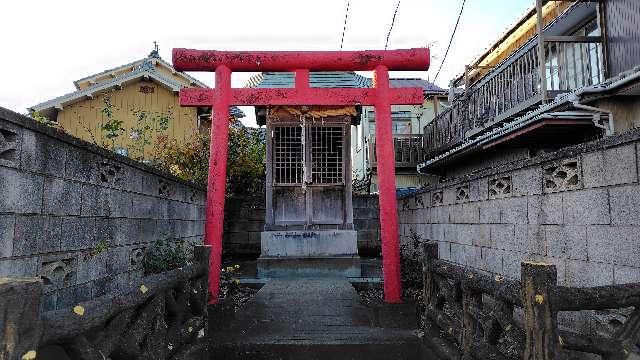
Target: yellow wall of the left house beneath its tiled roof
[{"x": 84, "y": 119}]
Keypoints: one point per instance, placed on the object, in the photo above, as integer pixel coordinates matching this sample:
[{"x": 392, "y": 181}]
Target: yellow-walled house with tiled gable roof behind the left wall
[{"x": 147, "y": 87}]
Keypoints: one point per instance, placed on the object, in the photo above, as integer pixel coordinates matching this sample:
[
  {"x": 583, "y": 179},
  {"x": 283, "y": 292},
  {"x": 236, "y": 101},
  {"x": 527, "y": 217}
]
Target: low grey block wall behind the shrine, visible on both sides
[{"x": 244, "y": 221}]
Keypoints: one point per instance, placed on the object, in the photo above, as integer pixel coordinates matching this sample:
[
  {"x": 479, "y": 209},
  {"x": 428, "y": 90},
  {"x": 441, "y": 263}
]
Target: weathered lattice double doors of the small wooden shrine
[{"x": 309, "y": 169}]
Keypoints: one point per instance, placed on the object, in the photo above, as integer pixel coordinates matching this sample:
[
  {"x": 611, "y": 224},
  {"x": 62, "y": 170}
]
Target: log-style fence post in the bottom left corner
[{"x": 20, "y": 323}]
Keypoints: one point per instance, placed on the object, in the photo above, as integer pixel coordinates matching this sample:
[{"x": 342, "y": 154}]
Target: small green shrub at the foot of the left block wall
[{"x": 166, "y": 253}]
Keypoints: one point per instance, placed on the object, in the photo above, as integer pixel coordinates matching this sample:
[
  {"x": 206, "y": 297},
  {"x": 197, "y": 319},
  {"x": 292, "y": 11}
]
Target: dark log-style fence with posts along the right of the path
[{"x": 454, "y": 298}]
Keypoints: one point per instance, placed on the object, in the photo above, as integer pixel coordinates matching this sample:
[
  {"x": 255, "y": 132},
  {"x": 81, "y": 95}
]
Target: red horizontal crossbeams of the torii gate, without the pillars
[{"x": 301, "y": 62}]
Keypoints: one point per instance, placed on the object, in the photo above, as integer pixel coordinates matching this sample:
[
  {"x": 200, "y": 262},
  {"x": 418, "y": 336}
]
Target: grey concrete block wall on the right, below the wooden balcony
[{"x": 578, "y": 208}]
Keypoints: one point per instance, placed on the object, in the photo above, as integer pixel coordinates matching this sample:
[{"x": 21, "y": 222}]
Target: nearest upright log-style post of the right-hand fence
[{"x": 538, "y": 288}]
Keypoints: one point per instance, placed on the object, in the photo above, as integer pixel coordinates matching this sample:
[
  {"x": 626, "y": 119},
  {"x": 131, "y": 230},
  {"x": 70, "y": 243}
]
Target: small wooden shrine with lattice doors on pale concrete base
[{"x": 309, "y": 215}]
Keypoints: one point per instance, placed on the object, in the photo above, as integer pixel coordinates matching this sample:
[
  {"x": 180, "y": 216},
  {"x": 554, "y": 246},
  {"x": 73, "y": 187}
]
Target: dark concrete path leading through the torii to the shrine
[{"x": 310, "y": 318}]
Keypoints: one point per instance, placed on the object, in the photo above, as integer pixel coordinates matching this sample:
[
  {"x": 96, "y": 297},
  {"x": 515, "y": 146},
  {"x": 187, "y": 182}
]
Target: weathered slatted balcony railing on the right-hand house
[{"x": 513, "y": 87}]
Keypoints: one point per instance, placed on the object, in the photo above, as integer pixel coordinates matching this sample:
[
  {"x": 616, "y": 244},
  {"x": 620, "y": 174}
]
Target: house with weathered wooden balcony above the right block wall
[{"x": 564, "y": 74}]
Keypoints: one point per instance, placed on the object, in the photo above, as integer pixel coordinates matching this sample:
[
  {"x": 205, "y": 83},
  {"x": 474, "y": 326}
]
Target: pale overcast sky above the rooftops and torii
[{"x": 48, "y": 44}]
